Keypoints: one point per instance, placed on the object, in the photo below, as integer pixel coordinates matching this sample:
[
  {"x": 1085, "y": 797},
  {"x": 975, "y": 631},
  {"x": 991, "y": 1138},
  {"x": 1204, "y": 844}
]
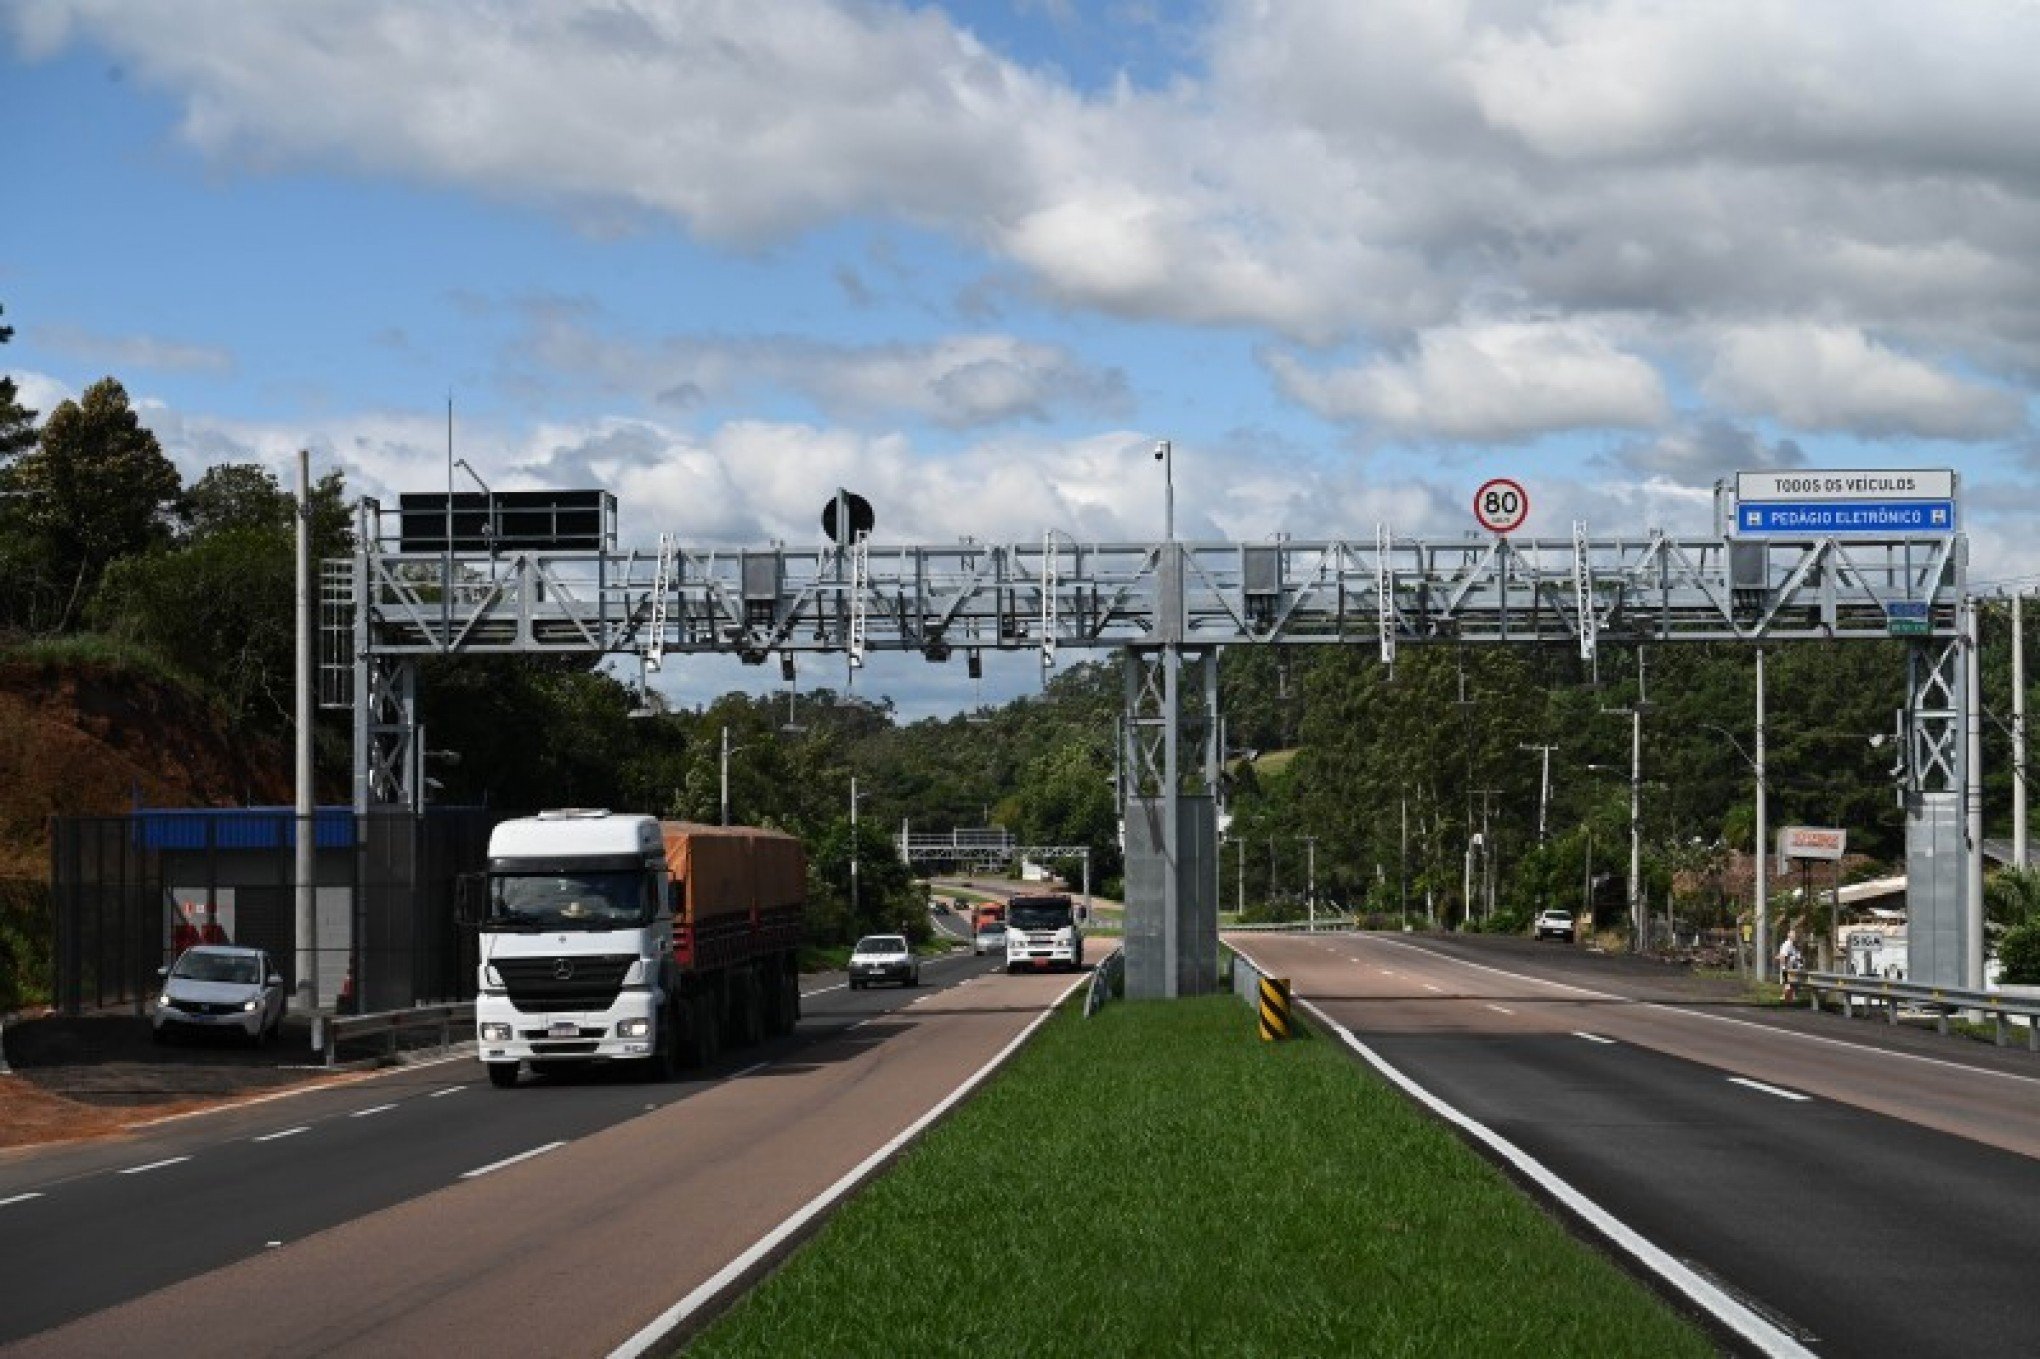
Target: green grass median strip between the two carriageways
[{"x": 1160, "y": 1182}]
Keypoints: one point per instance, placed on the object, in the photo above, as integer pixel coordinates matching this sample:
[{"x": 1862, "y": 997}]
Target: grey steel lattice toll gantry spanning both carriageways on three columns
[{"x": 1170, "y": 607}]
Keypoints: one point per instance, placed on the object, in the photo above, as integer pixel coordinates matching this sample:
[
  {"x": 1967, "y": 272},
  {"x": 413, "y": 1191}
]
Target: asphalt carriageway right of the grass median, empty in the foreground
[{"x": 1870, "y": 1193}]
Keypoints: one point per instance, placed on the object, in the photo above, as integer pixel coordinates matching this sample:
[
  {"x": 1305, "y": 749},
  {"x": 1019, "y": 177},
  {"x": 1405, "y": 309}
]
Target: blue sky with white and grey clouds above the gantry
[{"x": 974, "y": 260}]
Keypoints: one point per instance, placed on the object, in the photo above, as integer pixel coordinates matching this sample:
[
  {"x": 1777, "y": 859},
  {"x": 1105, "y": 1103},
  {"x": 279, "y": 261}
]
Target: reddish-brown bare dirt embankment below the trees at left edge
[{"x": 95, "y": 742}]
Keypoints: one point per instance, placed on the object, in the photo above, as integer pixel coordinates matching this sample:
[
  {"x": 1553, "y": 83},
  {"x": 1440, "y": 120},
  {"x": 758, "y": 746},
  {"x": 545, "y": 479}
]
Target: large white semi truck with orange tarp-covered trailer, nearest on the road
[{"x": 619, "y": 938}]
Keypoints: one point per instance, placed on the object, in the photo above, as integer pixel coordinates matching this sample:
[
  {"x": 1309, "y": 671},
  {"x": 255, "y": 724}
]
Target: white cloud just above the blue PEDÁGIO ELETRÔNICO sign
[{"x": 1833, "y": 379}]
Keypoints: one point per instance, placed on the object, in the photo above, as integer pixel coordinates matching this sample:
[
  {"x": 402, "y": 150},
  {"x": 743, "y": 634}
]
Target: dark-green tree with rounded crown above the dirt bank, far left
[{"x": 97, "y": 489}]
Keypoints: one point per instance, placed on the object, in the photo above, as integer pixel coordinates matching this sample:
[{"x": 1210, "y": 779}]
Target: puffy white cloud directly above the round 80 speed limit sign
[{"x": 1496, "y": 383}]
